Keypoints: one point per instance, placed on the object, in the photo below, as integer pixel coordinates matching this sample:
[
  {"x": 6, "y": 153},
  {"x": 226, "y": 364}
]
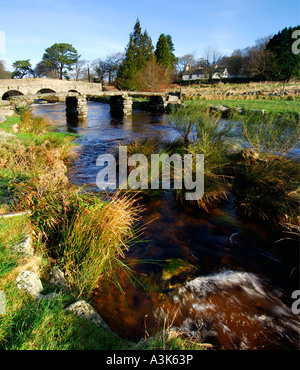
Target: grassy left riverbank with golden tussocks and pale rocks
[{"x": 33, "y": 168}]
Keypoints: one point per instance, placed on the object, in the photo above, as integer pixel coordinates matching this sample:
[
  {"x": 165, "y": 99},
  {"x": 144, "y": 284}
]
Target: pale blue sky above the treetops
[{"x": 96, "y": 28}]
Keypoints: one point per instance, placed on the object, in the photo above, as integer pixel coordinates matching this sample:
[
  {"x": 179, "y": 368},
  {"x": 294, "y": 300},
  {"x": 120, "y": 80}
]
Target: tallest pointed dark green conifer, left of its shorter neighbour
[{"x": 138, "y": 51}]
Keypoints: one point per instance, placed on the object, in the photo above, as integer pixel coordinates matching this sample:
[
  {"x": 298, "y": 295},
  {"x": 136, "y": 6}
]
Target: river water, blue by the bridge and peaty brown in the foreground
[{"x": 213, "y": 276}]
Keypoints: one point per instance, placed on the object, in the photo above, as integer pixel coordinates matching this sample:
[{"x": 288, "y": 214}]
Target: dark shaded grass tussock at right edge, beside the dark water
[{"x": 269, "y": 190}]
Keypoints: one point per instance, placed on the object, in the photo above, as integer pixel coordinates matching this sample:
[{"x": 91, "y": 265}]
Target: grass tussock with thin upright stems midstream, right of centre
[{"x": 204, "y": 133}]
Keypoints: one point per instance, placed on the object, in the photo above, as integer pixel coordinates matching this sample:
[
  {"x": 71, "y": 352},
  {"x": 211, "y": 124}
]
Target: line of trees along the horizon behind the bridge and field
[{"x": 145, "y": 67}]
